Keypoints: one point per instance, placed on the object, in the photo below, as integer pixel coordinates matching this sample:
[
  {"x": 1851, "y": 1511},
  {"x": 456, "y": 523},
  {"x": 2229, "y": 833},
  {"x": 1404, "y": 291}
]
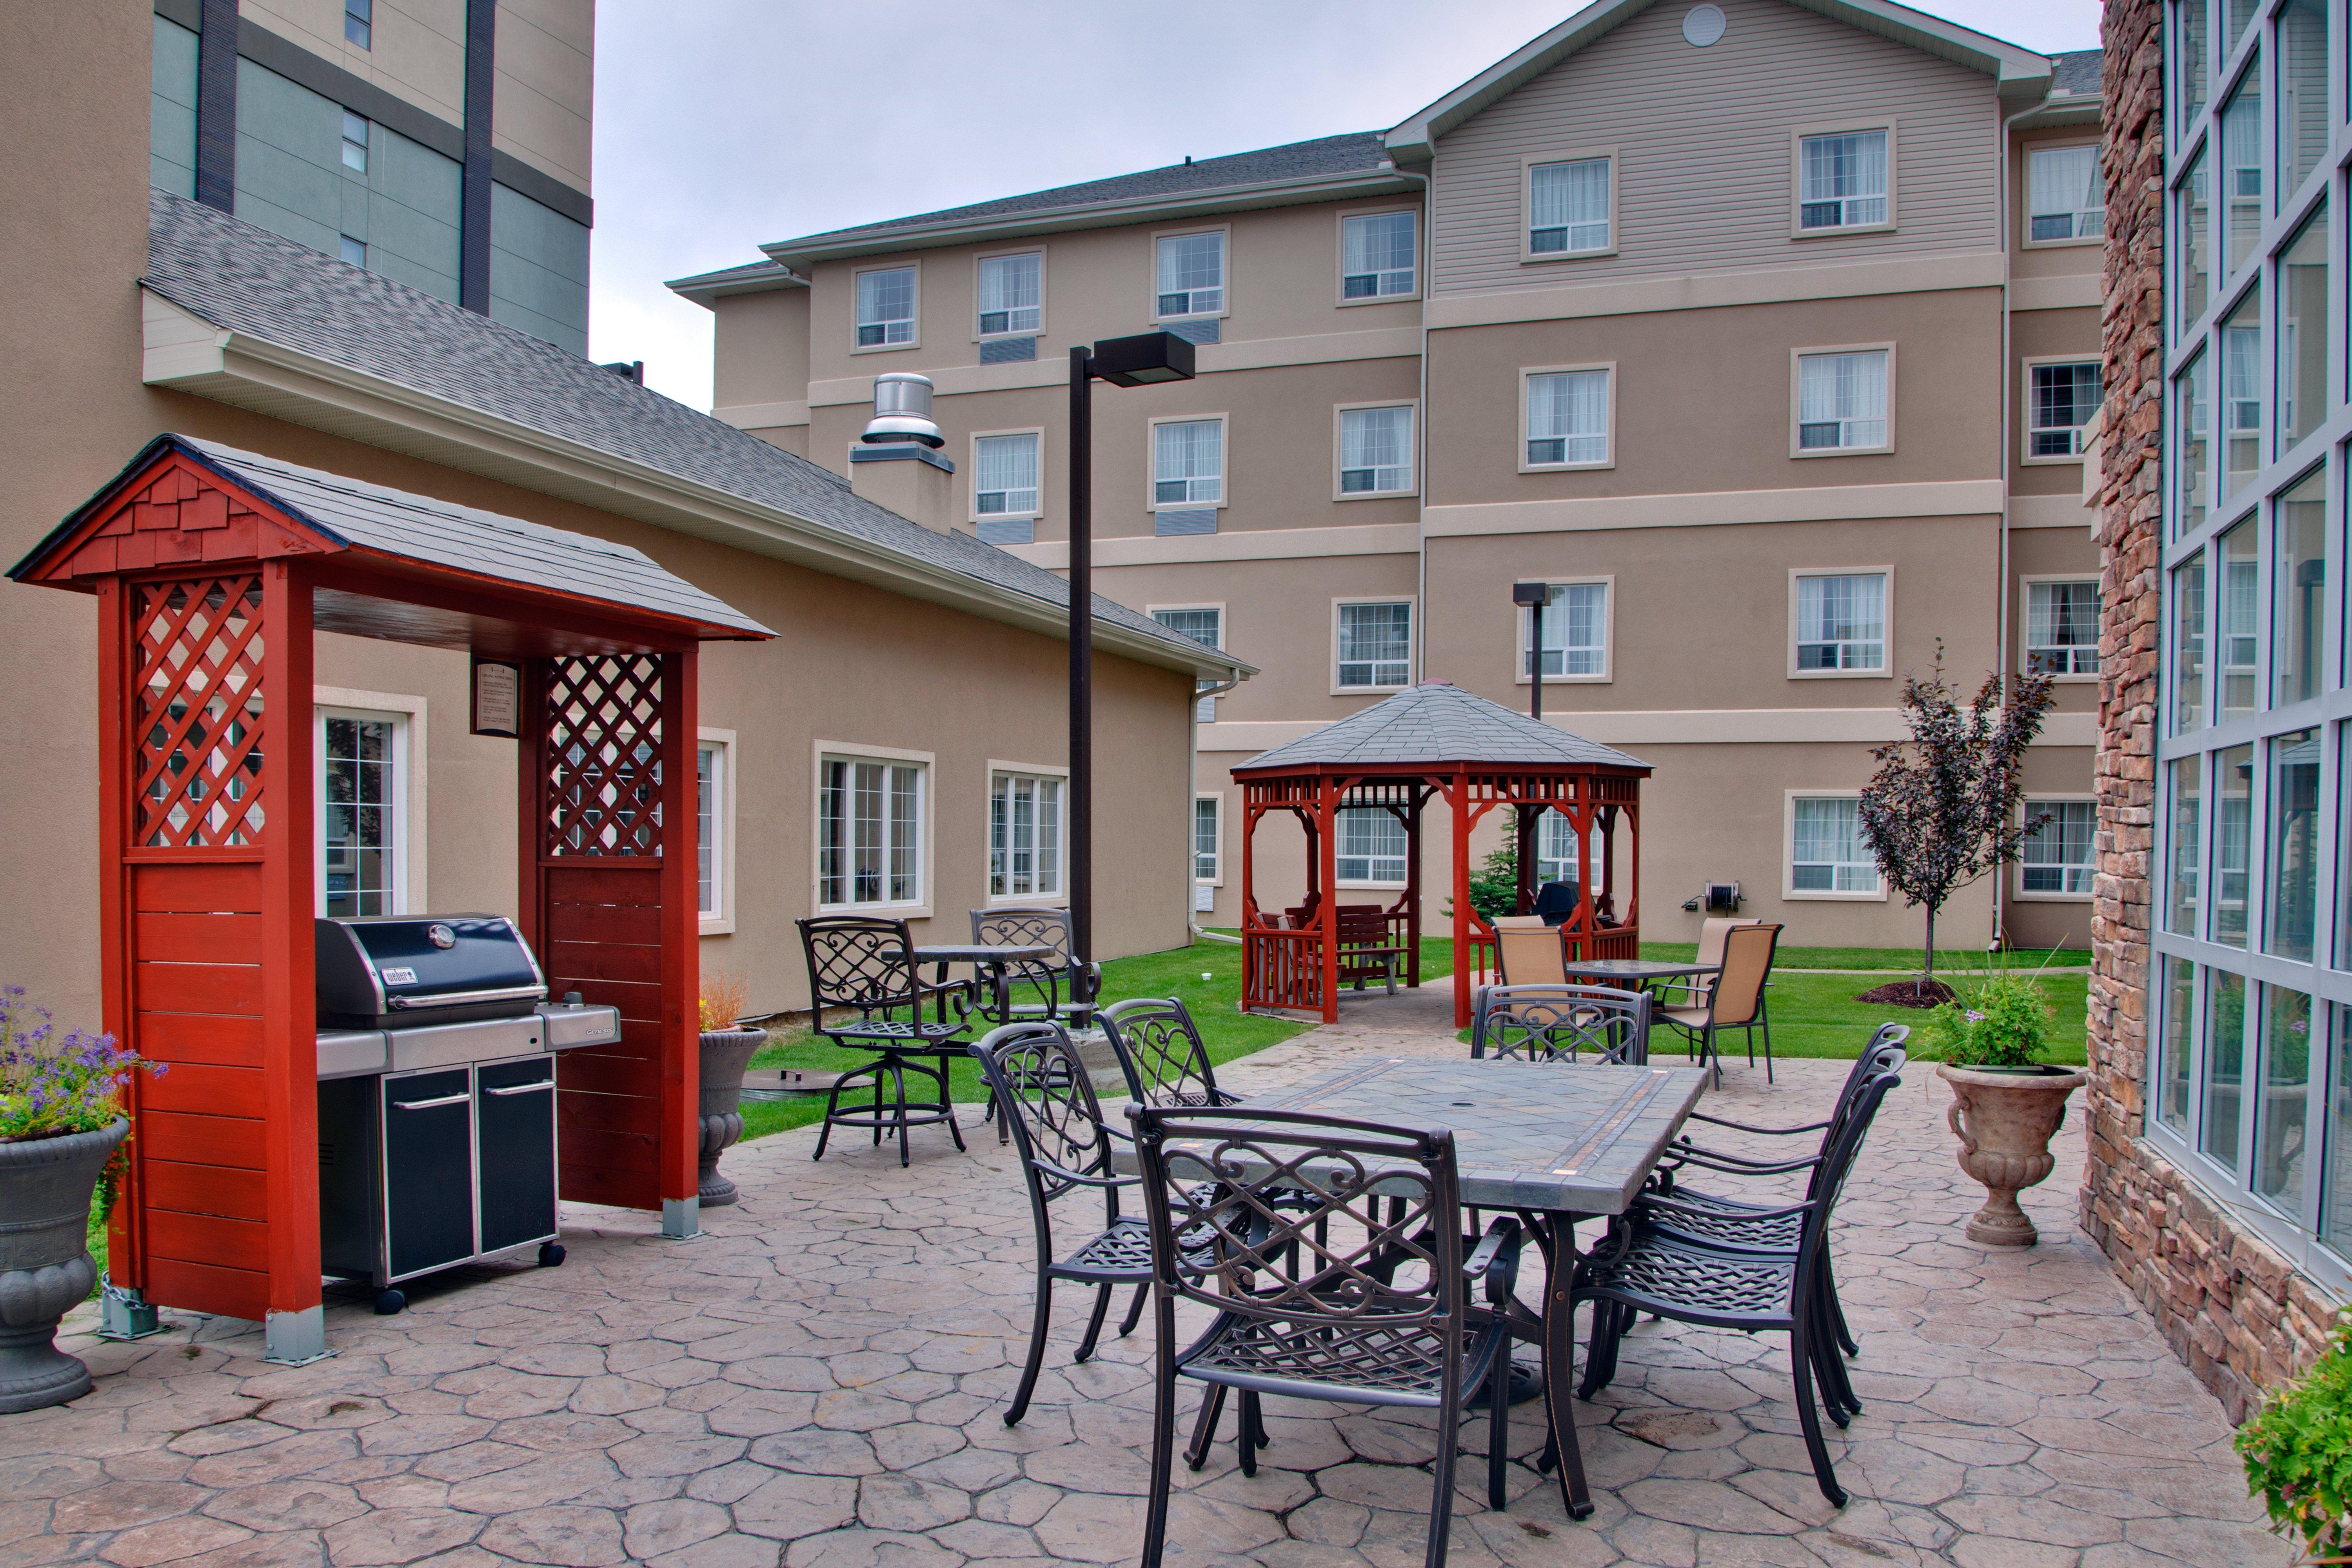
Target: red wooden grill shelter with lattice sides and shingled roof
[{"x": 213, "y": 570}]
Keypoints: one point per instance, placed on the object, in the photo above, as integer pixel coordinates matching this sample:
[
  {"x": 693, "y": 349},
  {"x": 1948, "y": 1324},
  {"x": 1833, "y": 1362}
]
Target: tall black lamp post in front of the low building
[{"x": 1140, "y": 361}]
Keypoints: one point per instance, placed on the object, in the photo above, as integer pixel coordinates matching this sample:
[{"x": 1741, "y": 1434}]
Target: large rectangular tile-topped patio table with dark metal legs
[{"x": 1551, "y": 1144}]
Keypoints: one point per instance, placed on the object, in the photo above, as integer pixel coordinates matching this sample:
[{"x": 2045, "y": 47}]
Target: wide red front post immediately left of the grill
[{"x": 295, "y": 1327}]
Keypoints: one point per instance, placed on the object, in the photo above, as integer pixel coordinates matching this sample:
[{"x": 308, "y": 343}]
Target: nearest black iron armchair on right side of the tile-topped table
[{"x": 1645, "y": 1268}]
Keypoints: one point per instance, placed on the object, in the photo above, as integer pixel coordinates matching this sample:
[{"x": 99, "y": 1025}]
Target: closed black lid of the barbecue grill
[{"x": 408, "y": 970}]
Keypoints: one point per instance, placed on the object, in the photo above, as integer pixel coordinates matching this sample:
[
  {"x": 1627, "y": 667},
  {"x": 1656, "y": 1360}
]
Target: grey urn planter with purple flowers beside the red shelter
[{"x": 62, "y": 1130}]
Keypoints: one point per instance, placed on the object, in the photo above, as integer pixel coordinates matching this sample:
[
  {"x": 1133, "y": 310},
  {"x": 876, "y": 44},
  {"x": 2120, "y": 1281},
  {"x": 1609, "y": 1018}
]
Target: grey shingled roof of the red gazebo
[{"x": 1438, "y": 725}]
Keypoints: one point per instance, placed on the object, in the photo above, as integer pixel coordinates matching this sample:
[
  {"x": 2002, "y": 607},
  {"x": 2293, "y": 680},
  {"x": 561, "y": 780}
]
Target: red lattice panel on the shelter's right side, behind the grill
[{"x": 606, "y": 756}]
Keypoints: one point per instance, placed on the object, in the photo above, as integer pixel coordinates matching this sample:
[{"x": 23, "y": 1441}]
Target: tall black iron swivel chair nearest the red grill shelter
[{"x": 869, "y": 965}]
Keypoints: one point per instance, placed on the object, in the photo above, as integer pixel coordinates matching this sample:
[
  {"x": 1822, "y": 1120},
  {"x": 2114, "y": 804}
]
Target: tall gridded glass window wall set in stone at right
[{"x": 2252, "y": 981}]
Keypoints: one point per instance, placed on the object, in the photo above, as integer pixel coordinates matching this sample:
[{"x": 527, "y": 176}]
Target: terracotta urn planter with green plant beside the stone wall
[{"x": 2007, "y": 1104}]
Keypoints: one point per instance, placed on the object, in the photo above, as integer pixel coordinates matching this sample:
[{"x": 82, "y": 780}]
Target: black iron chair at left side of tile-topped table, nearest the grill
[{"x": 1064, "y": 1146}]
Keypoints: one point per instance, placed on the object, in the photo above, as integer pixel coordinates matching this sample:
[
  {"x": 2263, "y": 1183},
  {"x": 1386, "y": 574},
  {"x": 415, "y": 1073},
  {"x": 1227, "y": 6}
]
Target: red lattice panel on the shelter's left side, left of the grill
[{"x": 196, "y": 713}]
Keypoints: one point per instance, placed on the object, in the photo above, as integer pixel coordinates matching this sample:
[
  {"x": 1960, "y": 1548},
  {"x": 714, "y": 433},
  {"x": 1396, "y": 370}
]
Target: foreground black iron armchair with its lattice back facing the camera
[{"x": 1356, "y": 1296}]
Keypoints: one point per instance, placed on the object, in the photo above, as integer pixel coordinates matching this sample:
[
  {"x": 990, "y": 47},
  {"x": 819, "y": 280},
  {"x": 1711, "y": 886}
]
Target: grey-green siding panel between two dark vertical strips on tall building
[{"x": 293, "y": 182}]
